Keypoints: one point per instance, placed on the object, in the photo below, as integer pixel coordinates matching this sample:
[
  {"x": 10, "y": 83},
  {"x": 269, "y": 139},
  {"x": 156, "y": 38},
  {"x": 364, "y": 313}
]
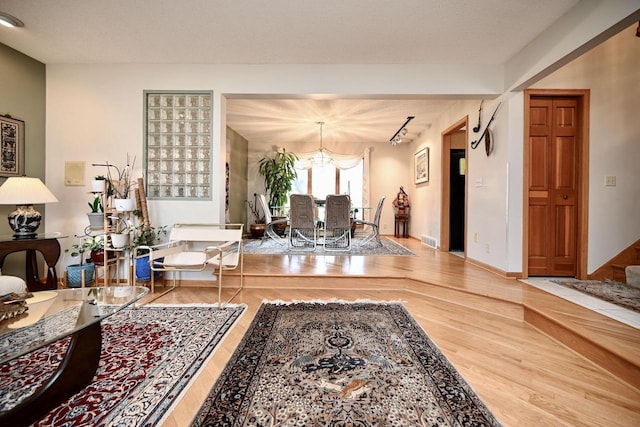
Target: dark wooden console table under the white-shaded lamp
[{"x": 47, "y": 245}]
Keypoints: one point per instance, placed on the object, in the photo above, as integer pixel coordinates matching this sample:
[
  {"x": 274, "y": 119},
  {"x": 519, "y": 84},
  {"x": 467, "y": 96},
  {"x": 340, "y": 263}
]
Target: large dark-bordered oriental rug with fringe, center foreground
[{"x": 339, "y": 364}]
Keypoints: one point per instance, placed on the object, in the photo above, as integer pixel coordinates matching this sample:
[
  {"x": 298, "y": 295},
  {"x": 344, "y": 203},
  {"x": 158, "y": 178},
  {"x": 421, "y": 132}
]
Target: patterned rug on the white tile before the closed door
[{"x": 614, "y": 292}]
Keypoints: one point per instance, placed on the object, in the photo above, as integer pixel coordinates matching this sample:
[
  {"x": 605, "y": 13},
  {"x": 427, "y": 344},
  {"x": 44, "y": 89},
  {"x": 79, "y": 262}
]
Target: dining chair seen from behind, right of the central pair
[{"x": 337, "y": 223}]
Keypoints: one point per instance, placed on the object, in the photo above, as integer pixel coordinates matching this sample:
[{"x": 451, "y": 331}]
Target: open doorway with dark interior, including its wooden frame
[{"x": 453, "y": 217}]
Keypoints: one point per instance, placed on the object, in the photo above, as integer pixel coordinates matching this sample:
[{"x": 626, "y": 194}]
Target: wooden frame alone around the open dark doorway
[{"x": 462, "y": 124}]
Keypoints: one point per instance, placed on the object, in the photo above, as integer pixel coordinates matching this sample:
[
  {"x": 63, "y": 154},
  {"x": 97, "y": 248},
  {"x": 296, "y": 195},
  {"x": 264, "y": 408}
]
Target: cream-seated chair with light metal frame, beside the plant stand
[{"x": 197, "y": 247}]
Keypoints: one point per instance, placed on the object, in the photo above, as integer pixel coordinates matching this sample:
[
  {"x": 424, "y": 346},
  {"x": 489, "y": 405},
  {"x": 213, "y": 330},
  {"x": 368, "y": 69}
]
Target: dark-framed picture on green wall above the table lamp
[{"x": 11, "y": 146}]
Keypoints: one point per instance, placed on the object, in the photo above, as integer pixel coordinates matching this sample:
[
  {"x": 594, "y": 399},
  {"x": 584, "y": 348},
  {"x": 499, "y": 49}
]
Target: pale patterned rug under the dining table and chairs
[{"x": 270, "y": 246}]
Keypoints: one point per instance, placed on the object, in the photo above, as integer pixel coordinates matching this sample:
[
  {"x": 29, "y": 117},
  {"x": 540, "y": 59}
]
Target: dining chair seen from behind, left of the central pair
[{"x": 302, "y": 226}]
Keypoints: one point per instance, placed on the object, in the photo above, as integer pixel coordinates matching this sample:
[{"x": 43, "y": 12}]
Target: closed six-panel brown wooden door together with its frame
[{"x": 556, "y": 183}]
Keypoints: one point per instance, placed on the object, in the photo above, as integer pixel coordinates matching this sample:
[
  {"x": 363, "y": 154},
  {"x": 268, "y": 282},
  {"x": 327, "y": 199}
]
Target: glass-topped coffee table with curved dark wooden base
[{"x": 53, "y": 315}]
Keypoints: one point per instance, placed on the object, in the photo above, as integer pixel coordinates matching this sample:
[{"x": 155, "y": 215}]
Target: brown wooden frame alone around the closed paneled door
[{"x": 582, "y": 238}]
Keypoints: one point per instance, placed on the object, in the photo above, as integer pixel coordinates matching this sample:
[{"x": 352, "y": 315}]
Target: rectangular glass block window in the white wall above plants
[{"x": 178, "y": 142}]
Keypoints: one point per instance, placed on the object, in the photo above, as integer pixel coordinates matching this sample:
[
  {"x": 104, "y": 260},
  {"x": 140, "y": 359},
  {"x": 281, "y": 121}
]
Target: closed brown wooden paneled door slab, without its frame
[{"x": 553, "y": 147}]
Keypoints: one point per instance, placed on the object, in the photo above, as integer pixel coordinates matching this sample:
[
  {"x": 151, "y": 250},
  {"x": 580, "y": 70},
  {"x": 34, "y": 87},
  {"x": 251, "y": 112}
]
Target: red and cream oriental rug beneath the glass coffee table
[{"x": 149, "y": 356}]
